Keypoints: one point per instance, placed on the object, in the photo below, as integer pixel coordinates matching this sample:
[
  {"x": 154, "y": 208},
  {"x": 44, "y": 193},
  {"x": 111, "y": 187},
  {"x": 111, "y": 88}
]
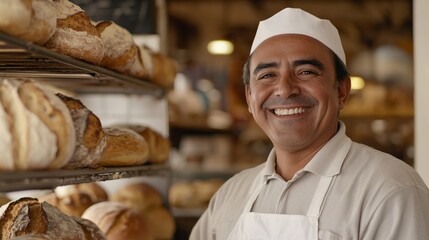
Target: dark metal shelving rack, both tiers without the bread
[{"x": 21, "y": 59}]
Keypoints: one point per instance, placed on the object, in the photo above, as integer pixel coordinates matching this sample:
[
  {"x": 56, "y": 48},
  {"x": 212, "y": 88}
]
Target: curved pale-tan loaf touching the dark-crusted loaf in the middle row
[{"x": 54, "y": 114}]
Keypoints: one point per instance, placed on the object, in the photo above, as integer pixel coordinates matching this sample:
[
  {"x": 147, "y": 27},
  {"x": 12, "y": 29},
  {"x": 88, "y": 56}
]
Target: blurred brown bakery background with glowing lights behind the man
[{"x": 212, "y": 133}]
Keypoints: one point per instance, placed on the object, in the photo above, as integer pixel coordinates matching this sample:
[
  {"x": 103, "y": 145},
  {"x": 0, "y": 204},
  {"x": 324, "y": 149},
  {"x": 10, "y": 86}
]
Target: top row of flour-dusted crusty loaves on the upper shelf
[{"x": 64, "y": 27}]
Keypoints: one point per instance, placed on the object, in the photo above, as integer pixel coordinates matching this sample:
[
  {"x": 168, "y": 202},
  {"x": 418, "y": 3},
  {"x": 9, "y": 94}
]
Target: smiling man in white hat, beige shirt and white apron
[{"x": 316, "y": 183}]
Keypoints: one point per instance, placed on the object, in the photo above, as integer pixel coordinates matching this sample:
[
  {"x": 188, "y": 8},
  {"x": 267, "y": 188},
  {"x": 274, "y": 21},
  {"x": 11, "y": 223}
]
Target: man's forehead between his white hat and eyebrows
[{"x": 290, "y": 46}]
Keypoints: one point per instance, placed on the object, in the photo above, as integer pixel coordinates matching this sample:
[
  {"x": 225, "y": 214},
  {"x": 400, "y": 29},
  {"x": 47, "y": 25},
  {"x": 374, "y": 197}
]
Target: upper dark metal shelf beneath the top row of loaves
[{"x": 23, "y": 59}]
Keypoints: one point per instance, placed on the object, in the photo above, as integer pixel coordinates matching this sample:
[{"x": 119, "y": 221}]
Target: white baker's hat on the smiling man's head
[{"x": 297, "y": 21}]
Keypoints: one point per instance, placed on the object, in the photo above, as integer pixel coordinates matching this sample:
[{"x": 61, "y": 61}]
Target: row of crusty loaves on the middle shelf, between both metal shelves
[{"x": 43, "y": 130}]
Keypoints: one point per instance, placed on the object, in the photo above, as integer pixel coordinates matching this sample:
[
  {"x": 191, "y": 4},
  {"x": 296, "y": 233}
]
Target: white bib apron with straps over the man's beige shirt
[{"x": 267, "y": 226}]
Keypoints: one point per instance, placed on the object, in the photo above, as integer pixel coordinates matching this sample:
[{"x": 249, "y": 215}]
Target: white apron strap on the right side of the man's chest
[{"x": 316, "y": 204}]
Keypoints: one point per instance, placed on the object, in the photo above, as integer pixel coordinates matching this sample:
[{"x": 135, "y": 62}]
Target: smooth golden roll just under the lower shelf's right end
[{"x": 139, "y": 196}]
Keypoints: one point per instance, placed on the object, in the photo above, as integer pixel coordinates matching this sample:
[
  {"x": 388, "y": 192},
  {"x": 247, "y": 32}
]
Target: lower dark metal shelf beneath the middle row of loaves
[{"x": 49, "y": 179}]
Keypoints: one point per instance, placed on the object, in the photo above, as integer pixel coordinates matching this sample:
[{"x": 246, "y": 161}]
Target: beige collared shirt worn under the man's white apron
[{"x": 373, "y": 196}]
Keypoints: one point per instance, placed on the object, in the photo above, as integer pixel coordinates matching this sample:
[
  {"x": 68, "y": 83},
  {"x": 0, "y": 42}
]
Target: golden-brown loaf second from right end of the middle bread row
[{"x": 124, "y": 147}]
